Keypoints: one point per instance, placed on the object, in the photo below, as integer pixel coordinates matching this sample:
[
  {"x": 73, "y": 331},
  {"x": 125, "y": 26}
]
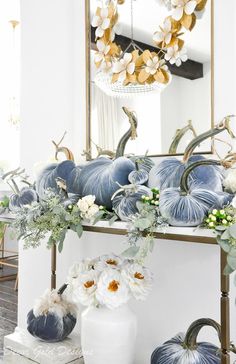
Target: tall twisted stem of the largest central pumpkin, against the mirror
[{"x": 130, "y": 134}]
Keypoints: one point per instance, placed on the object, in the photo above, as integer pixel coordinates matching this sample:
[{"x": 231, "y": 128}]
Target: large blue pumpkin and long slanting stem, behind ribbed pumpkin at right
[{"x": 168, "y": 173}]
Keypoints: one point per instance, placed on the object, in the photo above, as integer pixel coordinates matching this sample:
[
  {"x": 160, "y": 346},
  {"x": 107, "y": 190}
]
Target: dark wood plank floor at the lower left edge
[{"x": 8, "y": 306}]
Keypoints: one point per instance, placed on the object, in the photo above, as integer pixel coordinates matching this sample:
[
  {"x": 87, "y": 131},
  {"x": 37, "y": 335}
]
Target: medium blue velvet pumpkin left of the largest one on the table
[{"x": 66, "y": 170}]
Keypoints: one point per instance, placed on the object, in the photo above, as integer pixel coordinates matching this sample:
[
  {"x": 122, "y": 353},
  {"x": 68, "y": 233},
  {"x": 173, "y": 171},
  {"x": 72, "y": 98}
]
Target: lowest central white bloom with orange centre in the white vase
[{"x": 112, "y": 291}]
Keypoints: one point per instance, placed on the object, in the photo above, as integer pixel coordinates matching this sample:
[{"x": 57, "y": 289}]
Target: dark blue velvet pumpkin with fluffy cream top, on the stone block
[{"x": 54, "y": 320}]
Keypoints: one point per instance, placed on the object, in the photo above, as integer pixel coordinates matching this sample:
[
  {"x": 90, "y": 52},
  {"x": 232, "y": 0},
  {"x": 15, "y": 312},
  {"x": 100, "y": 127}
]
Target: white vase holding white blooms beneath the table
[{"x": 108, "y": 336}]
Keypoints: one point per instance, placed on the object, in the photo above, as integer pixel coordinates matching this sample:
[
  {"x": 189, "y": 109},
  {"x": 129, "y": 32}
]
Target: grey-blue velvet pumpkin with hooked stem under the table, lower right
[{"x": 184, "y": 349}]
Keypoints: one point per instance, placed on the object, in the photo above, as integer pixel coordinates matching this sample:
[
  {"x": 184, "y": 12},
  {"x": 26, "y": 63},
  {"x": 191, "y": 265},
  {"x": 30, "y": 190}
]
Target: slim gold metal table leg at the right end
[{"x": 225, "y": 312}]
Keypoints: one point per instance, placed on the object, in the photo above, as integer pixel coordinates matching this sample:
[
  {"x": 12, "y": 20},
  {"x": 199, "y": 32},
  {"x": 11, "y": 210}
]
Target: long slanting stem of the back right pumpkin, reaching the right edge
[{"x": 223, "y": 125}]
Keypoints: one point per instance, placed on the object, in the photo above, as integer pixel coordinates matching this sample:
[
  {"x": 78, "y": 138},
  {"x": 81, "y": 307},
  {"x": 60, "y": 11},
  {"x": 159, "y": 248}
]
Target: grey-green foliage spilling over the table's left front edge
[{"x": 50, "y": 218}]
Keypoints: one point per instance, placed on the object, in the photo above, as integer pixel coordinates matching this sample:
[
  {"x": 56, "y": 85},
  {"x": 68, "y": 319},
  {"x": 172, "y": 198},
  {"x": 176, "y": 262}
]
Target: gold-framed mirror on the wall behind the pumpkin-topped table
[{"x": 167, "y": 120}]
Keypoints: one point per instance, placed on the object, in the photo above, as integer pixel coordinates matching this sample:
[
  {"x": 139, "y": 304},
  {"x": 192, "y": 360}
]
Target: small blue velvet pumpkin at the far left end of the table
[{"x": 26, "y": 196}]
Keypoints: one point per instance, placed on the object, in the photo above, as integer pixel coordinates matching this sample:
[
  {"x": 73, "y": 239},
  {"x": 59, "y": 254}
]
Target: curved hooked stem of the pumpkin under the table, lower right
[{"x": 190, "y": 340}]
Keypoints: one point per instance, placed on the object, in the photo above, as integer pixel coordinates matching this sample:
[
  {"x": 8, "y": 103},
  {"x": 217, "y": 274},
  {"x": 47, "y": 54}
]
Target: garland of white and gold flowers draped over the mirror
[{"x": 144, "y": 67}]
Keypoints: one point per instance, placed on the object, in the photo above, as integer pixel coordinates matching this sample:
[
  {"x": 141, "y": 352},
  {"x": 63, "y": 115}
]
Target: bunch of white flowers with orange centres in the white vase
[{"x": 109, "y": 281}]
